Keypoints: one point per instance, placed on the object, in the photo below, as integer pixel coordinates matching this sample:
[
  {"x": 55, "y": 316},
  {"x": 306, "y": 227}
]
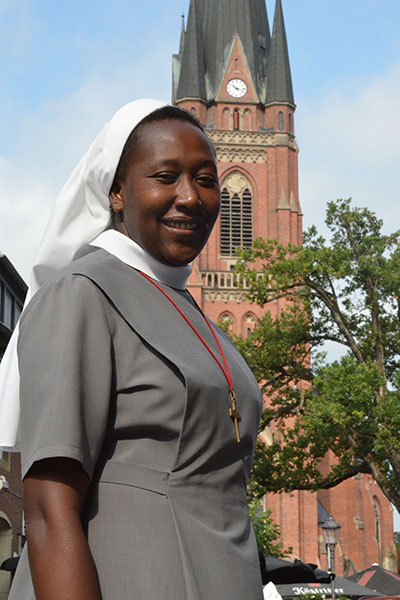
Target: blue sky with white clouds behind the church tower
[{"x": 67, "y": 66}]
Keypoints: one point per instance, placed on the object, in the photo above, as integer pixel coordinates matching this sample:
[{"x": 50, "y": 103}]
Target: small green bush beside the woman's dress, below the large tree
[{"x": 267, "y": 532}]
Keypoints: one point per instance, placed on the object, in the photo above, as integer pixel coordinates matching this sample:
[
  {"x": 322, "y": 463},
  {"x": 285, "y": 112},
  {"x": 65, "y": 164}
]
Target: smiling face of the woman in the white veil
[{"x": 170, "y": 196}]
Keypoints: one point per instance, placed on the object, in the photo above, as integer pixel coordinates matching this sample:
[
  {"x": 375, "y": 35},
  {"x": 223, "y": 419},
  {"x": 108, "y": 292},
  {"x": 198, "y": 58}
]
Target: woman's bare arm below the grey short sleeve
[{"x": 60, "y": 560}]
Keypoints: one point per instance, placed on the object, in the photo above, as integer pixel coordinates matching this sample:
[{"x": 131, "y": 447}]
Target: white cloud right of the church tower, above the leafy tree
[{"x": 348, "y": 148}]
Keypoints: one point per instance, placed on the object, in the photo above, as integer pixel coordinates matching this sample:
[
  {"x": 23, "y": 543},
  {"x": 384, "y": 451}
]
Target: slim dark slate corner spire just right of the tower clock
[{"x": 279, "y": 79}]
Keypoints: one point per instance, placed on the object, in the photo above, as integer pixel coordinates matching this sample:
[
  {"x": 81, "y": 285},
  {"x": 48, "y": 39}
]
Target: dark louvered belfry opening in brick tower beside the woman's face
[{"x": 236, "y": 221}]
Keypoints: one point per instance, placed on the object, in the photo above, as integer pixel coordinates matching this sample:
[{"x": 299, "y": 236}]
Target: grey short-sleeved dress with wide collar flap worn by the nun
[{"x": 112, "y": 376}]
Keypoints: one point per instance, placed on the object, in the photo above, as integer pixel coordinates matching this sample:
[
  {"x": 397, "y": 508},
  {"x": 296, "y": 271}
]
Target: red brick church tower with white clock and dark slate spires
[{"x": 236, "y": 79}]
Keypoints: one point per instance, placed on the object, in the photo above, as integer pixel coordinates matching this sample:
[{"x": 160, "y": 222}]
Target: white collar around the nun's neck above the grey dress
[{"x": 132, "y": 254}]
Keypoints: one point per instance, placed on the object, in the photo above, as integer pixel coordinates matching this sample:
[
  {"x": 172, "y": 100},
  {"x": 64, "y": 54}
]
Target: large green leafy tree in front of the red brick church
[{"x": 344, "y": 291}]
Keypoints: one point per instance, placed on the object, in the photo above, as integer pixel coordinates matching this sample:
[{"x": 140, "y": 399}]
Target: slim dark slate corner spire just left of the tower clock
[{"x": 192, "y": 75}]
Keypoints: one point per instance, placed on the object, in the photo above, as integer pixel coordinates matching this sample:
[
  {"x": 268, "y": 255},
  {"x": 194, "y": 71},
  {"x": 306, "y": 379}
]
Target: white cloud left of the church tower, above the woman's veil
[{"x": 49, "y": 142}]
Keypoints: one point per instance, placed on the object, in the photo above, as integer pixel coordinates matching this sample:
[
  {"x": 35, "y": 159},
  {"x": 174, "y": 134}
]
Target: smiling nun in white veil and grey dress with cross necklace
[{"x": 134, "y": 461}]
